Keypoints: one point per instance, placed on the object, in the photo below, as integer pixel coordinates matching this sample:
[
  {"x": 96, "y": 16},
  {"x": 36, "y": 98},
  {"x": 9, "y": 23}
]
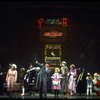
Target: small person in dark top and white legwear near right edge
[{"x": 89, "y": 84}]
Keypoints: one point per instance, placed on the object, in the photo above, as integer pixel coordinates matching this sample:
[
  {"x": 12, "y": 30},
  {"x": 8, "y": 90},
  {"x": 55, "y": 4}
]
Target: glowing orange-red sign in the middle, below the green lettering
[{"x": 53, "y": 33}]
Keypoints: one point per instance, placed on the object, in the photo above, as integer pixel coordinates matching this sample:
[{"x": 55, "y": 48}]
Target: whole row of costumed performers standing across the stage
[{"x": 64, "y": 80}]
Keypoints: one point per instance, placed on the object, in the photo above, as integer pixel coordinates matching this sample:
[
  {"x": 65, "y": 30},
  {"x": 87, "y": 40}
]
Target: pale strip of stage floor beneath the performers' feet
[{"x": 49, "y": 96}]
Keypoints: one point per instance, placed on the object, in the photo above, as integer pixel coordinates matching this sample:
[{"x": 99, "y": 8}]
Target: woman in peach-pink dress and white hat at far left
[{"x": 11, "y": 78}]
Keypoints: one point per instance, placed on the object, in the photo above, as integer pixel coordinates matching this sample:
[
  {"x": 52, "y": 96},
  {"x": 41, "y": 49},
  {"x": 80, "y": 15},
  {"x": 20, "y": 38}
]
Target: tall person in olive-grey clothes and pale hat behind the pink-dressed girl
[{"x": 64, "y": 82}]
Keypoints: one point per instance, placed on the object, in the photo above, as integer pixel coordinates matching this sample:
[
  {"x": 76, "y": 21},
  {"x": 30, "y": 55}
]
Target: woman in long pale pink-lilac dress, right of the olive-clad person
[{"x": 72, "y": 79}]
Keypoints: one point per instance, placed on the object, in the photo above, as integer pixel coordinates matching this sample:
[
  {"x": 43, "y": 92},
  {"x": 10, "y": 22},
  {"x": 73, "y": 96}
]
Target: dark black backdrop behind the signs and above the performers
[{"x": 20, "y": 37}]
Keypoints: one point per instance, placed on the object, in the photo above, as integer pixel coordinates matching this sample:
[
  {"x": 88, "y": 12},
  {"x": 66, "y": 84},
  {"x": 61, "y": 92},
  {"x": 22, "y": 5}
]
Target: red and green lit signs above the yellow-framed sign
[{"x": 52, "y": 30}]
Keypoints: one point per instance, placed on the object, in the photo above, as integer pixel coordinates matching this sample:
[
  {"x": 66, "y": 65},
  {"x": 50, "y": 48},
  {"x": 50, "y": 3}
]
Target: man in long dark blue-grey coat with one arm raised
[{"x": 42, "y": 78}]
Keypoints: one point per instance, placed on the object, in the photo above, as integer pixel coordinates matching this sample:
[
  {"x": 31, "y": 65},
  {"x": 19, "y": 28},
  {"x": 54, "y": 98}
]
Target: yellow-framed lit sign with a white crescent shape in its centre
[{"x": 53, "y": 54}]
